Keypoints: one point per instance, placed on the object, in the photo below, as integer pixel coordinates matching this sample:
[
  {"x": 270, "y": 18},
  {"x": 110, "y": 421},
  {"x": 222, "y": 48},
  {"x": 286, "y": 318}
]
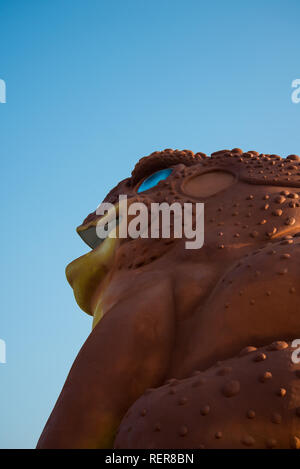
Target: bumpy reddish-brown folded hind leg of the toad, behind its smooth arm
[{"x": 250, "y": 401}]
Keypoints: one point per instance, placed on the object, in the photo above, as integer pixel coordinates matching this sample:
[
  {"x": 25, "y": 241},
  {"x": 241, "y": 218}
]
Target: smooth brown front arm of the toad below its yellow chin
[{"x": 126, "y": 353}]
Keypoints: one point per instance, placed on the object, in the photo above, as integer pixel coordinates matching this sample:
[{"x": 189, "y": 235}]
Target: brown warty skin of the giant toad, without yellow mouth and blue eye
[{"x": 170, "y": 311}]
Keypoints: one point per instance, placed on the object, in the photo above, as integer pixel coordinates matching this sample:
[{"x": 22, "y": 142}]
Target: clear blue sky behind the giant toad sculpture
[{"x": 92, "y": 86}]
